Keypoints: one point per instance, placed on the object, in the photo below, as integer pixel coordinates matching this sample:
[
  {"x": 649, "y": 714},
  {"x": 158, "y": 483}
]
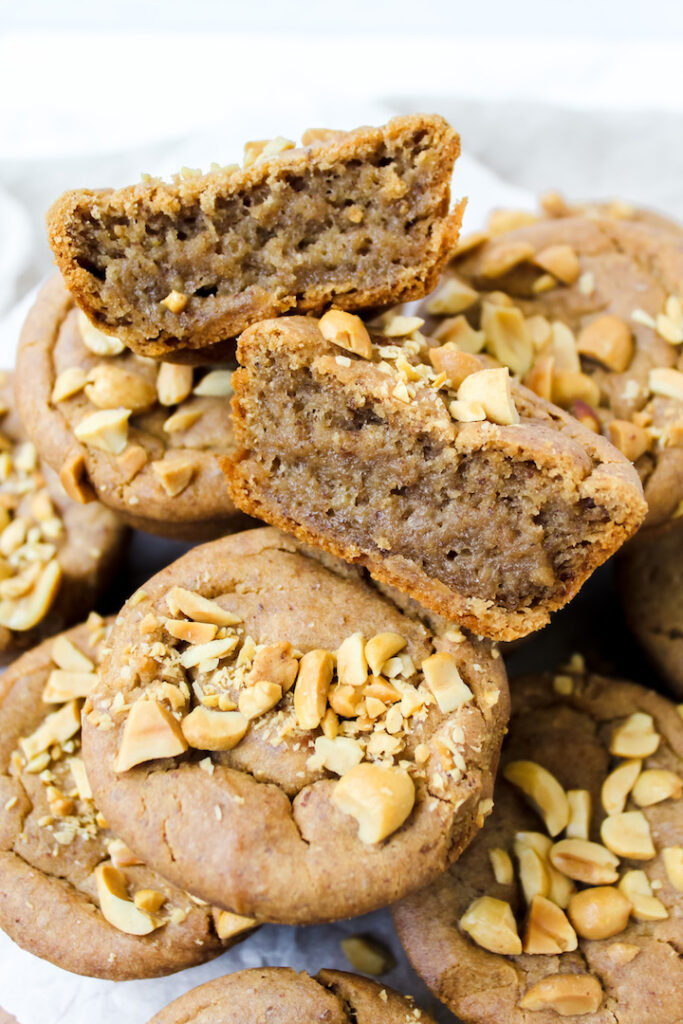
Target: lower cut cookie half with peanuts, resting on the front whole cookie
[{"x": 473, "y": 495}]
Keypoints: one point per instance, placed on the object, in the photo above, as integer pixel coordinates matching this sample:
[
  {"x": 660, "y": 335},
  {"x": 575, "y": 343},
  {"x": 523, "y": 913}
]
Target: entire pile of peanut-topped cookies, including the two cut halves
[{"x": 301, "y": 720}]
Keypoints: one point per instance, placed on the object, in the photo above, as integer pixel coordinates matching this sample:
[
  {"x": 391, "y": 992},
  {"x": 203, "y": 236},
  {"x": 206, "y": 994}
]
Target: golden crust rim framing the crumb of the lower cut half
[{"x": 548, "y": 438}]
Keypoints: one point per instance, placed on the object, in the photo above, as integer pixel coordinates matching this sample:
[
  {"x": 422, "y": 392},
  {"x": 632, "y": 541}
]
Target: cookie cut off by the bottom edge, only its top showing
[{"x": 283, "y": 997}]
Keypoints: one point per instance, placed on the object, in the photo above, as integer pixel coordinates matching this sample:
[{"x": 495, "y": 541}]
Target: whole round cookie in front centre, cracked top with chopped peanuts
[{"x": 284, "y": 740}]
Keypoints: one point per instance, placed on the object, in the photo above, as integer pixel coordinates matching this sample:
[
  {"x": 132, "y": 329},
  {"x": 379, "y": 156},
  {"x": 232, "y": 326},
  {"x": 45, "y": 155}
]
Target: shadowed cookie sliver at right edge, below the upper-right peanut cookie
[{"x": 651, "y": 586}]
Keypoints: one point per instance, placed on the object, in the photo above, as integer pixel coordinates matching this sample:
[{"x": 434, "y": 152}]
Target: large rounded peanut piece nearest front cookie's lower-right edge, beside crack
[{"x": 380, "y": 799}]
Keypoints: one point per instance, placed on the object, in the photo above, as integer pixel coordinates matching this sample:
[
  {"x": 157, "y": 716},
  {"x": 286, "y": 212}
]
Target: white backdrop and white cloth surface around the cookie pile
[{"x": 583, "y": 96}]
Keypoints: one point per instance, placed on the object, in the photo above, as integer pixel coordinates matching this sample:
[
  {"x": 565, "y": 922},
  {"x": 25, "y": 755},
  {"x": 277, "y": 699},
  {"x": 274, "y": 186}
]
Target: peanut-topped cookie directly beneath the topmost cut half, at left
[{"x": 142, "y": 437}]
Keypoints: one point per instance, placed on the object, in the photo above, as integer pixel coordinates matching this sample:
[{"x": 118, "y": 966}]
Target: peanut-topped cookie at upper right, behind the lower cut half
[{"x": 588, "y": 312}]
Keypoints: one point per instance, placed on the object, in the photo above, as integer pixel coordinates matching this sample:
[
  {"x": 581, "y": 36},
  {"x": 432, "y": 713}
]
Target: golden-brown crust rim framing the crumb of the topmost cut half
[{"x": 197, "y": 326}]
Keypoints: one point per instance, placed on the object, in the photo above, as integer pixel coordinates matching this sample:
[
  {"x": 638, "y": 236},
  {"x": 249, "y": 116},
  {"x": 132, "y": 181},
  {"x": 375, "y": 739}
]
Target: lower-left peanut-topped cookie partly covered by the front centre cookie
[{"x": 71, "y": 891}]
